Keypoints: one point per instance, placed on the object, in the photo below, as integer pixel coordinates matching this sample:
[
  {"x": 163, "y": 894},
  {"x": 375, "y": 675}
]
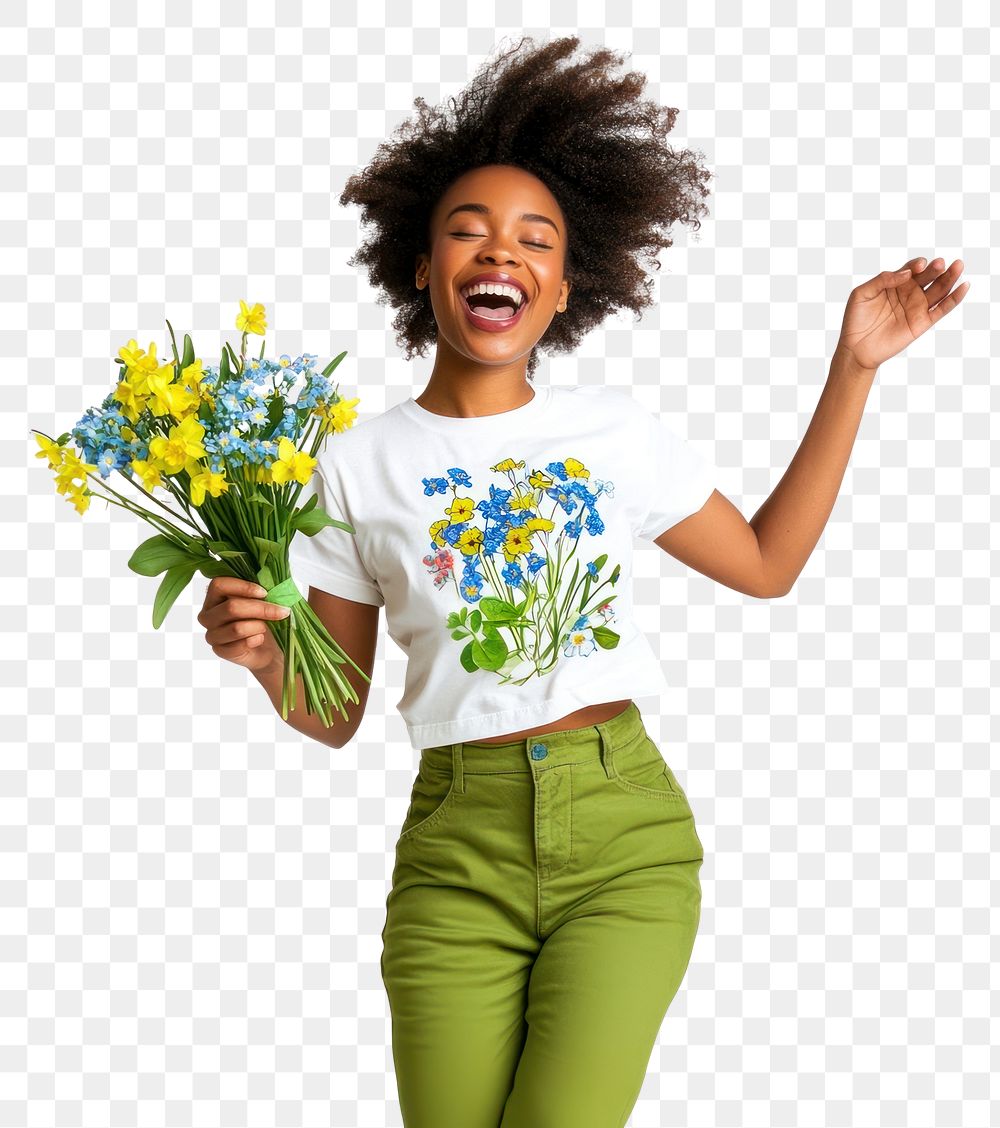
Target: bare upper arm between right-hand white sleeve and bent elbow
[{"x": 719, "y": 543}]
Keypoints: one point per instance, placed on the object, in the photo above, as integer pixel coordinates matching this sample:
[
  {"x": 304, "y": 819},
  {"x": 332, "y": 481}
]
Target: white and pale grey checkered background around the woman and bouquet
[{"x": 192, "y": 893}]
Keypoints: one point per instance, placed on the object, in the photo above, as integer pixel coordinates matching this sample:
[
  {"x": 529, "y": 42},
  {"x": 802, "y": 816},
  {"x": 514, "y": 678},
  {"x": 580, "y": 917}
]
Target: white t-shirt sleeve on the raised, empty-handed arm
[{"x": 680, "y": 480}]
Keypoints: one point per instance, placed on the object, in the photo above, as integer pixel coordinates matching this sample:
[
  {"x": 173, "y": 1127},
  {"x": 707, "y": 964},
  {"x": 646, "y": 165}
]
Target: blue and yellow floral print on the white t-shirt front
[{"x": 524, "y": 611}]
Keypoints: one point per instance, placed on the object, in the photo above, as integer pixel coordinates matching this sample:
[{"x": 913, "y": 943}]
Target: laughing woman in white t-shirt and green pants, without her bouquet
[{"x": 546, "y": 894}]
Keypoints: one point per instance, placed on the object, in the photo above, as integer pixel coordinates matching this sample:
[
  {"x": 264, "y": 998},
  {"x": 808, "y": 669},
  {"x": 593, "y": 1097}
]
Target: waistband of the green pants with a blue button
[{"x": 547, "y": 751}]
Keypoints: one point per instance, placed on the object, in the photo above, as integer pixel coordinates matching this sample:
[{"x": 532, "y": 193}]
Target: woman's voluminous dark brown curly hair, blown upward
[{"x": 587, "y": 135}]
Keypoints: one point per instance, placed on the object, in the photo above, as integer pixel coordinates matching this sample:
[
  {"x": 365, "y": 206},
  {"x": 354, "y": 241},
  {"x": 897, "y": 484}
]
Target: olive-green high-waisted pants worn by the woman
[{"x": 544, "y": 907}]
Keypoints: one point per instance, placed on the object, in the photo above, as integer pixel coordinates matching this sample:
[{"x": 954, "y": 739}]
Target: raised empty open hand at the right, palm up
[{"x": 891, "y": 311}]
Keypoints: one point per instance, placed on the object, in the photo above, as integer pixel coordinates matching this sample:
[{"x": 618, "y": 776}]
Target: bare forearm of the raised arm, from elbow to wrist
[{"x": 792, "y": 521}]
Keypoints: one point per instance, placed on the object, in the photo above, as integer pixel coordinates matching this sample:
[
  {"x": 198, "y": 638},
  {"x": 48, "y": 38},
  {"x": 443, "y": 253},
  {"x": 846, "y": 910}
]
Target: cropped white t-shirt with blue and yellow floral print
[{"x": 492, "y": 543}]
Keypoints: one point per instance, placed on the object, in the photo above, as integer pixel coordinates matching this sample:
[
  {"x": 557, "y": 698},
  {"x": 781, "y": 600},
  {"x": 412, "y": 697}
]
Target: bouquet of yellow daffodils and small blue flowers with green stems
[{"x": 232, "y": 450}]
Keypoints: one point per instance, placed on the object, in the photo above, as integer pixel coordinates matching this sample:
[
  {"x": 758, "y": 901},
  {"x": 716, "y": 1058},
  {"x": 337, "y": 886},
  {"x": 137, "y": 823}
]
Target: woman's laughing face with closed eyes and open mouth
[{"x": 516, "y": 228}]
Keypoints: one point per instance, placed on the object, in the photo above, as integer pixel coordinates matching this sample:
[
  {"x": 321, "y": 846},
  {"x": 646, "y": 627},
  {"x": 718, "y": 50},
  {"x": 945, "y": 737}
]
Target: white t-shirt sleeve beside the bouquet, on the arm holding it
[{"x": 331, "y": 560}]
